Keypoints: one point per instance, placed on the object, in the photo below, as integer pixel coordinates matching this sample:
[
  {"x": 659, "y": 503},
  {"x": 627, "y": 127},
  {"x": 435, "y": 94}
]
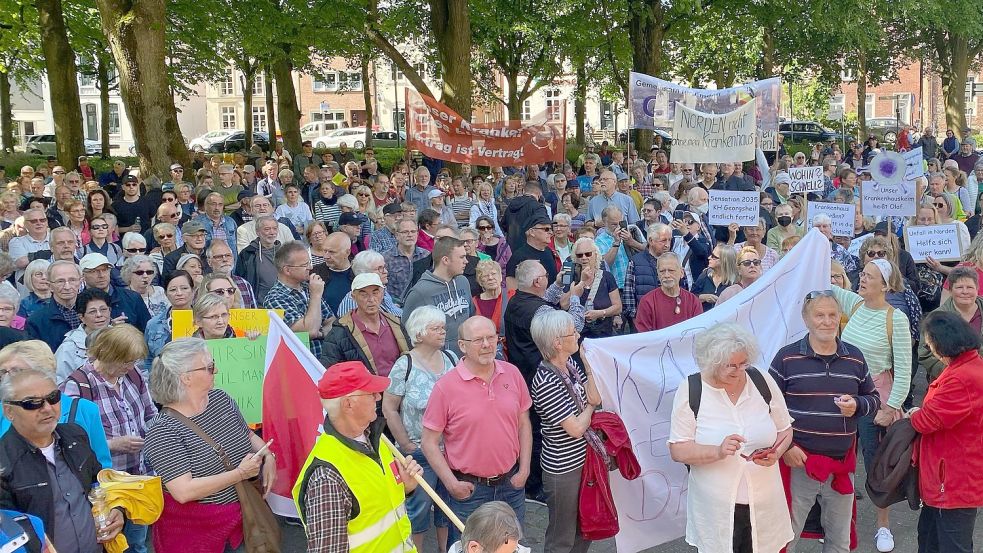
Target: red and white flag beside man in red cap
[{"x": 292, "y": 412}]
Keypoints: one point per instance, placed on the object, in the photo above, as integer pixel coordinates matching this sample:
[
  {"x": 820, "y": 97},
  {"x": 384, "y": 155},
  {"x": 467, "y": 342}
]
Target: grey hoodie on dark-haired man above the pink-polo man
[{"x": 453, "y": 298}]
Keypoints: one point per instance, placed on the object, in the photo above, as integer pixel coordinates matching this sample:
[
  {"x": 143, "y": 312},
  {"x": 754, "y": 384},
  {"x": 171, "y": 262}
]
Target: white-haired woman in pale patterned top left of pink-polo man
[{"x": 411, "y": 381}]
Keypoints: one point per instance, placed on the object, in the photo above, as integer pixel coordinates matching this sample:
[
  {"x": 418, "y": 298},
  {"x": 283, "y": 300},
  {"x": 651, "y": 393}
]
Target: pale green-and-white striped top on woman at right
[{"x": 867, "y": 329}]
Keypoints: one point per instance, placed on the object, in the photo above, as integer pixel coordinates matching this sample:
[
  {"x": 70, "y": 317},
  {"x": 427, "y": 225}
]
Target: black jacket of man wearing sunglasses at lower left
[{"x": 24, "y": 481}]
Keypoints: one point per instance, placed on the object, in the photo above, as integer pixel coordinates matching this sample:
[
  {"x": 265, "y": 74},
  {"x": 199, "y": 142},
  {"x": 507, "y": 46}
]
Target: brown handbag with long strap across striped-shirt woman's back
[{"x": 260, "y": 530}]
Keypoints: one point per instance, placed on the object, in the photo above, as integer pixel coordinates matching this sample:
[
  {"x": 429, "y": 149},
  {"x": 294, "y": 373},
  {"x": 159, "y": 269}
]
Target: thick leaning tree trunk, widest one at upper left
[{"x": 136, "y": 39}]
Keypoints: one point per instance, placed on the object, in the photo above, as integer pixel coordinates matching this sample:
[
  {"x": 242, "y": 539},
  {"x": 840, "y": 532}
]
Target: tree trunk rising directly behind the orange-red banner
[{"x": 450, "y": 24}]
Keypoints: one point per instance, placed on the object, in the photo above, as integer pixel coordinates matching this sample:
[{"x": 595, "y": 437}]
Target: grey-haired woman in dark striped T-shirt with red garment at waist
[{"x": 201, "y": 507}]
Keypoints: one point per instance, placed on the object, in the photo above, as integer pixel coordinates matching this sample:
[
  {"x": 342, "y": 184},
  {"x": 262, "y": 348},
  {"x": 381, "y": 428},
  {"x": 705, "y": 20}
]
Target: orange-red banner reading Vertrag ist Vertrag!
[{"x": 440, "y": 133}]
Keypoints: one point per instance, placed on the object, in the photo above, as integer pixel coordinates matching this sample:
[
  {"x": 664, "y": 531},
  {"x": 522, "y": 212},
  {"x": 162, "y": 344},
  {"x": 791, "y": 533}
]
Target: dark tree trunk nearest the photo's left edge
[{"x": 59, "y": 64}]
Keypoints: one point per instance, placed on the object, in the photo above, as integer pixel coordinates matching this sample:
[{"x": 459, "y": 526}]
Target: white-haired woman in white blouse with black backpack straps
[{"x": 736, "y": 498}]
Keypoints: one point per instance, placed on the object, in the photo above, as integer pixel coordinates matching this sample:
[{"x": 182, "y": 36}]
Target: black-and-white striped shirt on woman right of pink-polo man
[{"x": 562, "y": 452}]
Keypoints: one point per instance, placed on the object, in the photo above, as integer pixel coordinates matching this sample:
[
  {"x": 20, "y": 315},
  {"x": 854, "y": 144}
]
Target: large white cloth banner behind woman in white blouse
[{"x": 638, "y": 375}]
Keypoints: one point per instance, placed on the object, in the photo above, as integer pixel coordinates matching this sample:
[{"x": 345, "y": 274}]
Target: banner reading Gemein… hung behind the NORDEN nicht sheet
[{"x": 654, "y": 101}]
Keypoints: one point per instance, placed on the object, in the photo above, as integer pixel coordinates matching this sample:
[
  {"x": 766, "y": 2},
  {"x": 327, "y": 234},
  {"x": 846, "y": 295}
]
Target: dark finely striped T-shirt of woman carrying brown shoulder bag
[{"x": 173, "y": 449}]
